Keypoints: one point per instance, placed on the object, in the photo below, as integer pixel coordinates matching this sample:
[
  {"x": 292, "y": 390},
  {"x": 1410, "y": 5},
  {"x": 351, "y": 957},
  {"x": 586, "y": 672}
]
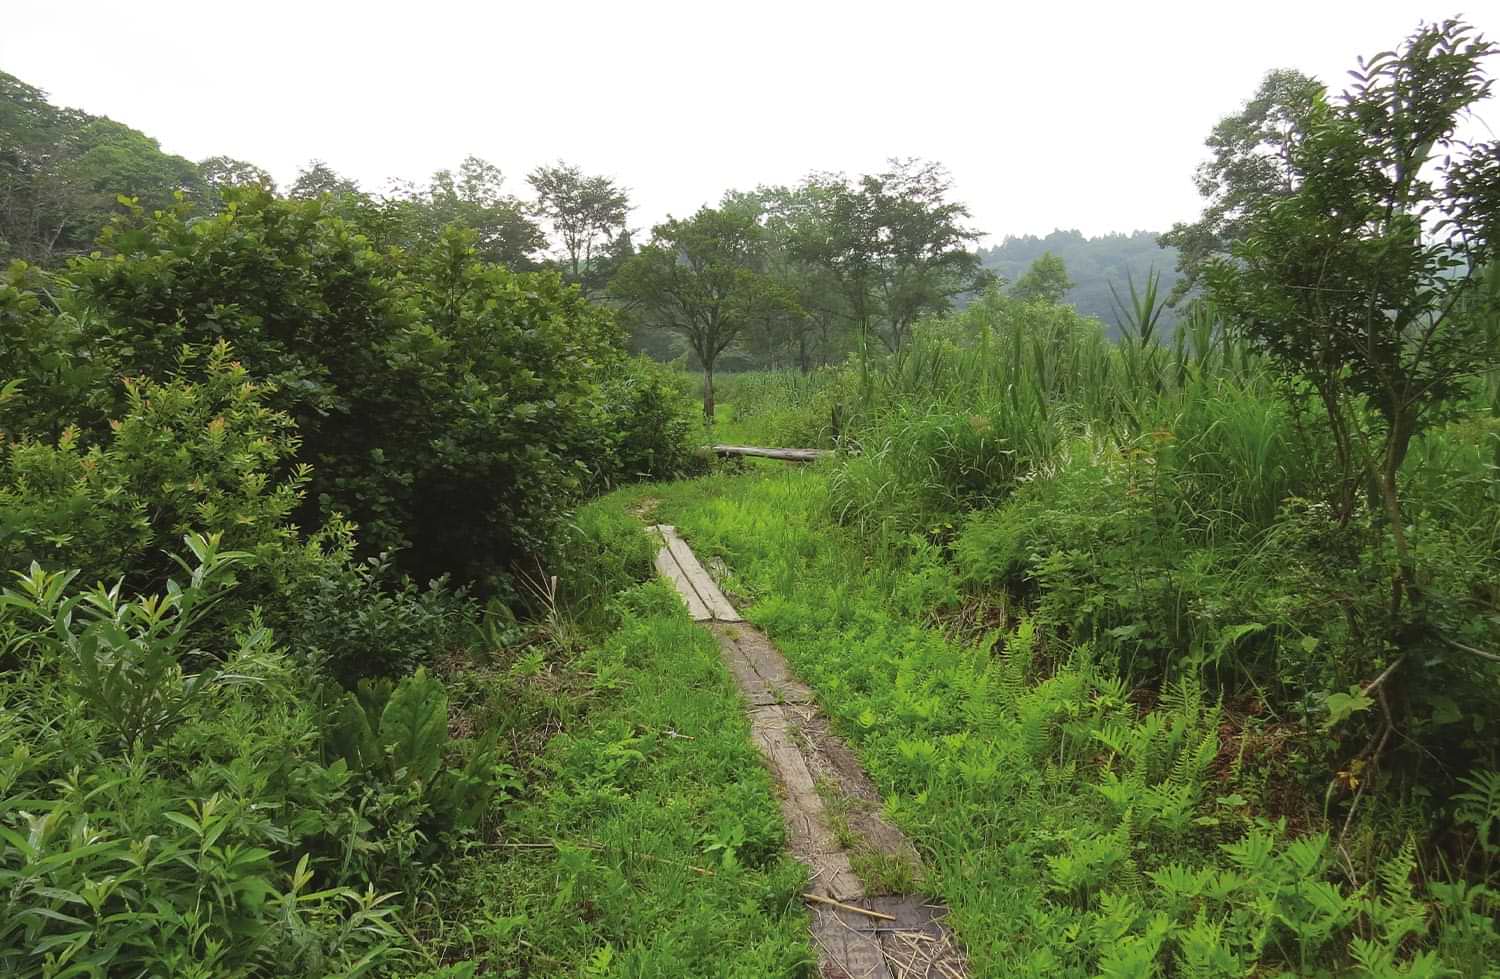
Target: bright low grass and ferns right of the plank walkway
[{"x": 1072, "y": 828}]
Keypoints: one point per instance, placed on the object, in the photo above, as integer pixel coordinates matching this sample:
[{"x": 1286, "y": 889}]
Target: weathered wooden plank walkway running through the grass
[{"x": 859, "y": 935}]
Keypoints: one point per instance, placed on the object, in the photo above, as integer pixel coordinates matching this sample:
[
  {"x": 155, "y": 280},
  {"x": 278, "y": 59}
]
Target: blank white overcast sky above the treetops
[{"x": 1058, "y": 115}]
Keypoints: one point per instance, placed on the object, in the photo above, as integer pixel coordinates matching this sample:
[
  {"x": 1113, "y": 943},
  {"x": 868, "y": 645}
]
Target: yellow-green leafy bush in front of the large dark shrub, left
[{"x": 185, "y": 457}]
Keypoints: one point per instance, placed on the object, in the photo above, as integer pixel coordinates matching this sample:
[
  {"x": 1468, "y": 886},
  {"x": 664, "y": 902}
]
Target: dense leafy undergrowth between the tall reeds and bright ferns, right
[{"x": 1114, "y": 549}]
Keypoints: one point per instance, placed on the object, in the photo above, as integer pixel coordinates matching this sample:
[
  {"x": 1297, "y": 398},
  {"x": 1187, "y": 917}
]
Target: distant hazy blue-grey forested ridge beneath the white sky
[{"x": 1094, "y": 265}]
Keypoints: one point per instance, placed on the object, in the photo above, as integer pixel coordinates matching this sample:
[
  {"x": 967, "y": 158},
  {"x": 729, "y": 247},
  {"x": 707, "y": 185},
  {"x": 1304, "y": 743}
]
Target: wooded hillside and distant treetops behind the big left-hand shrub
[{"x": 64, "y": 175}]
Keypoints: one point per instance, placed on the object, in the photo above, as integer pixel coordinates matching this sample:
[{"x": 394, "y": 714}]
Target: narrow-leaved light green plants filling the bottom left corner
[{"x": 163, "y": 806}]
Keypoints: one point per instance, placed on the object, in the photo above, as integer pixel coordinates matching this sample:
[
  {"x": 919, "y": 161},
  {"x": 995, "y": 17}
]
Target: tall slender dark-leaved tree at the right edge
[{"x": 1366, "y": 283}]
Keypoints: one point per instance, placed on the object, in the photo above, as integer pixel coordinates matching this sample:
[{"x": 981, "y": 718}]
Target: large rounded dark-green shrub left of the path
[{"x": 451, "y": 409}]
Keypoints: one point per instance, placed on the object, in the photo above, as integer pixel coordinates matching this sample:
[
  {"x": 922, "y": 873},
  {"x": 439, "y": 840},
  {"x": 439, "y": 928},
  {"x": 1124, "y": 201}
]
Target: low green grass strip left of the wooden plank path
[{"x": 650, "y": 843}]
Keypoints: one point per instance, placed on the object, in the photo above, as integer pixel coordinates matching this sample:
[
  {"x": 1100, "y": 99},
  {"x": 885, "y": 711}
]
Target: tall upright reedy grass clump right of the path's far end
[{"x": 995, "y": 395}]
